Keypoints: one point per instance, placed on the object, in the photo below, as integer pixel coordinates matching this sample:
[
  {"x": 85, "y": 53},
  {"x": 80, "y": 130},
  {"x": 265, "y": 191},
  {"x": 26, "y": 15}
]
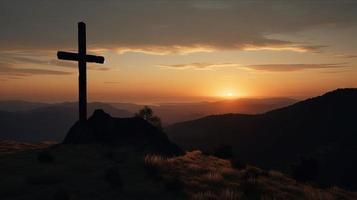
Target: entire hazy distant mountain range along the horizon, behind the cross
[{"x": 32, "y": 121}]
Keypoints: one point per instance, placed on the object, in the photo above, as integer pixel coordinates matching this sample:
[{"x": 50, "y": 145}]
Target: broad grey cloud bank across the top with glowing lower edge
[{"x": 170, "y": 26}]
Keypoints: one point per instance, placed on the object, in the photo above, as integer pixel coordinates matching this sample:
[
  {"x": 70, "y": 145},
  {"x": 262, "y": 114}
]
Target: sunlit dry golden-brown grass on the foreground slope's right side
[{"x": 209, "y": 178}]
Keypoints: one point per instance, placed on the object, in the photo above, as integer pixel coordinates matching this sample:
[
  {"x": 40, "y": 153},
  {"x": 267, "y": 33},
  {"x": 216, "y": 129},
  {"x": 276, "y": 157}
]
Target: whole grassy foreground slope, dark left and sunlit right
[{"x": 98, "y": 172}]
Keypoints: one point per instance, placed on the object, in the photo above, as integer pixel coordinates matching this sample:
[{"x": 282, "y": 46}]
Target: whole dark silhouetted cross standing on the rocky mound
[{"x": 82, "y": 59}]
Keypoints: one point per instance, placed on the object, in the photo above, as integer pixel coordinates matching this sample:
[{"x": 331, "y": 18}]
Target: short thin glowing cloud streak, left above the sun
[{"x": 199, "y": 66}]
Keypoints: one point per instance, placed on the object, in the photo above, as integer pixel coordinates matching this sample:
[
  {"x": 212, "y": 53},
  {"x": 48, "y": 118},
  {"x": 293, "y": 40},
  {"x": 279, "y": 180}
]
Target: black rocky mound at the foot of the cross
[{"x": 132, "y": 132}]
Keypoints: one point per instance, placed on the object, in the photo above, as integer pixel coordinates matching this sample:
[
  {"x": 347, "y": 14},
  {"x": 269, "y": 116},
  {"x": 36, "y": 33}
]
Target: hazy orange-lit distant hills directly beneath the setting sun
[{"x": 177, "y": 112}]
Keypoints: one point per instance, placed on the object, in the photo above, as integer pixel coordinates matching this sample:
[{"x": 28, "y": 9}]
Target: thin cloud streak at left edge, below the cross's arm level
[{"x": 8, "y": 71}]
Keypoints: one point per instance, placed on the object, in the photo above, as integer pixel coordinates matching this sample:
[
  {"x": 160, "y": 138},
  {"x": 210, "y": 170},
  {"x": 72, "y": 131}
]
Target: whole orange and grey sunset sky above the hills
[{"x": 178, "y": 50}]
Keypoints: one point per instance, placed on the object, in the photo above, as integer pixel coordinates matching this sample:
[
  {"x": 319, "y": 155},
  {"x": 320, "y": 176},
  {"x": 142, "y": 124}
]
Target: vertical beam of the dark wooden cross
[{"x": 82, "y": 66}]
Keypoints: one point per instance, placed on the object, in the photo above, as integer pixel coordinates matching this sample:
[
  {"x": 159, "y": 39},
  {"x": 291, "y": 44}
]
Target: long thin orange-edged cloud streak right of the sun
[{"x": 294, "y": 67}]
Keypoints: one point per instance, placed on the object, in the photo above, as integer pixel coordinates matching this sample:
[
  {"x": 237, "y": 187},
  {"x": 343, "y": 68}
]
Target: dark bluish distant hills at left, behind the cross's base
[{"x": 48, "y": 122}]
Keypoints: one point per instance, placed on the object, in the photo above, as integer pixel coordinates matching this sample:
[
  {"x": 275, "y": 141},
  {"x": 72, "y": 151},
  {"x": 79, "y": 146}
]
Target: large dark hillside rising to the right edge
[{"x": 323, "y": 127}]
